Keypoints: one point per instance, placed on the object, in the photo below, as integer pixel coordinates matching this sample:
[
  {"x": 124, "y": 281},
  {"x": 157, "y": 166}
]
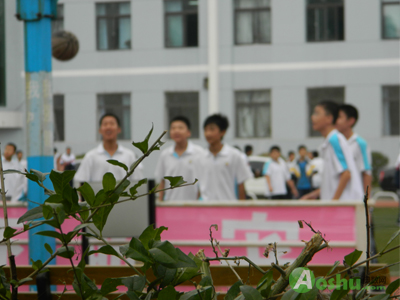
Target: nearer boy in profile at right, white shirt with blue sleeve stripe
[{"x": 340, "y": 178}]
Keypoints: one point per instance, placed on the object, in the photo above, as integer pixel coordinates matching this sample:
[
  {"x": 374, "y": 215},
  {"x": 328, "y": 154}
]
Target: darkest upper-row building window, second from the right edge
[{"x": 325, "y": 20}]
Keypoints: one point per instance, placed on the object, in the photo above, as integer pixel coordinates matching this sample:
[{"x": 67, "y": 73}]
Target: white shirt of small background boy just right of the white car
[{"x": 279, "y": 174}]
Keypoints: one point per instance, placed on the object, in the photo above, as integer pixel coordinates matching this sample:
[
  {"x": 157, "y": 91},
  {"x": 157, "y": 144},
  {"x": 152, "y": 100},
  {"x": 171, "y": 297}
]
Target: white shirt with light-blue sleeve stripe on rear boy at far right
[{"x": 361, "y": 153}]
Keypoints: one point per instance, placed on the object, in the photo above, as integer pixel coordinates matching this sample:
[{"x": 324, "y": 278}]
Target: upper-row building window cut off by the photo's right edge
[{"x": 390, "y": 19}]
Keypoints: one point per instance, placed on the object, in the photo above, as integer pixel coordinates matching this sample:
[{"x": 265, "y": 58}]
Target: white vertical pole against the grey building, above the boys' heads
[{"x": 213, "y": 74}]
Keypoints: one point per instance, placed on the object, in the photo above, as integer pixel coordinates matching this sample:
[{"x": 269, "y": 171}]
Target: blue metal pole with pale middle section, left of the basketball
[{"x": 39, "y": 107}]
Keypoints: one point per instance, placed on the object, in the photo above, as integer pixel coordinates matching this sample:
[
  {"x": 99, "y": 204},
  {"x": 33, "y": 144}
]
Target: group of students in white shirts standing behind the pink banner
[{"x": 222, "y": 170}]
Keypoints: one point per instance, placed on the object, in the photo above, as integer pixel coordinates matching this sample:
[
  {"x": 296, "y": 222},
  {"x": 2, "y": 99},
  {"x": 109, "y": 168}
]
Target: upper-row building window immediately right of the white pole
[{"x": 252, "y": 22}]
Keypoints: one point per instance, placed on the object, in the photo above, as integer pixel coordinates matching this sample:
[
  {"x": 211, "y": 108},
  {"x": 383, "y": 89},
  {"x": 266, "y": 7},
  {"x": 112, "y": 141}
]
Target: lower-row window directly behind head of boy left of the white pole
[{"x": 184, "y": 104}]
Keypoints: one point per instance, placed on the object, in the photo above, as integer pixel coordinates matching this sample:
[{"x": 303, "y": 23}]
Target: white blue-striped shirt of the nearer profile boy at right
[{"x": 337, "y": 157}]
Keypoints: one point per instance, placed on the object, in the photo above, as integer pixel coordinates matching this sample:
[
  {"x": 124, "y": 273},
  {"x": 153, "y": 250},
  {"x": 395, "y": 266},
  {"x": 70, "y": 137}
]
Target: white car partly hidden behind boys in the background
[{"x": 257, "y": 186}]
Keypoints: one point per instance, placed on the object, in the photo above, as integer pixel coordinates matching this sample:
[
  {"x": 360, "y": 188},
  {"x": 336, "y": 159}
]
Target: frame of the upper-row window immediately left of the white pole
[{"x": 184, "y": 14}]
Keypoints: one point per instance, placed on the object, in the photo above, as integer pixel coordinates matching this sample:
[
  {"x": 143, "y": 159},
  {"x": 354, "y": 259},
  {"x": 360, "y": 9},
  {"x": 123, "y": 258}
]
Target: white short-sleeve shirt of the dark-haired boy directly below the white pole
[{"x": 219, "y": 174}]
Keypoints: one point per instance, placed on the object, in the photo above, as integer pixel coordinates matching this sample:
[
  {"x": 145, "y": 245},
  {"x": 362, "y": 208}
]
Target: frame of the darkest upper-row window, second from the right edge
[{"x": 325, "y": 7}]
